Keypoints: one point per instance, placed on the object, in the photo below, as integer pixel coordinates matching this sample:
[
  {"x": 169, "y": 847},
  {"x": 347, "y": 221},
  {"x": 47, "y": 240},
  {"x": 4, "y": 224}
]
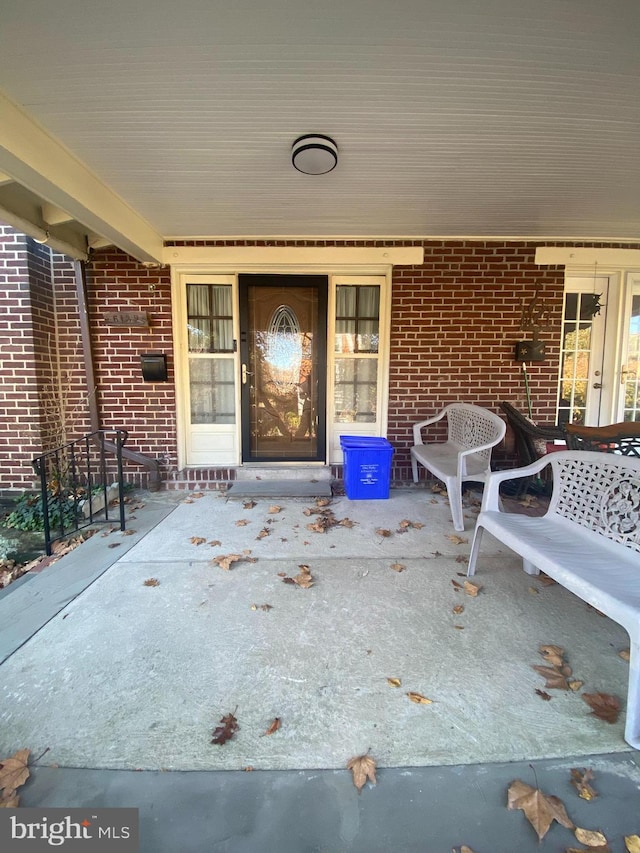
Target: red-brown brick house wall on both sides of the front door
[{"x": 454, "y": 322}]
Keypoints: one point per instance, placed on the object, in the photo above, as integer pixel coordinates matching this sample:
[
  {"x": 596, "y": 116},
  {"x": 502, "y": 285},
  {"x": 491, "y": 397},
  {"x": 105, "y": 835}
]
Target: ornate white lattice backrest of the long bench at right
[{"x": 599, "y": 491}]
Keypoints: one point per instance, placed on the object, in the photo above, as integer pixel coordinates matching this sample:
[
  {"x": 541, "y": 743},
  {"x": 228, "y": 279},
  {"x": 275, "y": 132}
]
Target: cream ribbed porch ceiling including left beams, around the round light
[{"x": 136, "y": 123}]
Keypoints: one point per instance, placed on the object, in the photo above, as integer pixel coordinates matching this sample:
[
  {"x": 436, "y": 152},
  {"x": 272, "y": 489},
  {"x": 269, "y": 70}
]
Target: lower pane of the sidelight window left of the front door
[{"x": 212, "y": 388}]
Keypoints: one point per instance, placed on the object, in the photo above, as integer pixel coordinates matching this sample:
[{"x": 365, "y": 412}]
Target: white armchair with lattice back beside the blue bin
[{"x": 472, "y": 432}]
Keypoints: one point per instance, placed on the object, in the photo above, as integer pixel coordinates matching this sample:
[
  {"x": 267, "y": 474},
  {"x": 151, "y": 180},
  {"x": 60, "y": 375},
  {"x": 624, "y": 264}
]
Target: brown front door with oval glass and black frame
[{"x": 283, "y": 331}]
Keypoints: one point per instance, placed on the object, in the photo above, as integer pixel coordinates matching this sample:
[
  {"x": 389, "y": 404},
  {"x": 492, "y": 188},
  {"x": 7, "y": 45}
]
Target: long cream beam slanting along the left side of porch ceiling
[{"x": 45, "y": 167}]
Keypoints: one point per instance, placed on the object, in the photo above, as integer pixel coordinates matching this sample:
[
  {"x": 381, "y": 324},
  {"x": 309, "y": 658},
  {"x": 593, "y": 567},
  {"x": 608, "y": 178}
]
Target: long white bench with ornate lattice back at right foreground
[{"x": 588, "y": 541}]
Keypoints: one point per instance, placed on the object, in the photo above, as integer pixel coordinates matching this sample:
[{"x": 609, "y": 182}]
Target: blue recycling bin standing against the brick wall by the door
[{"x": 366, "y": 467}]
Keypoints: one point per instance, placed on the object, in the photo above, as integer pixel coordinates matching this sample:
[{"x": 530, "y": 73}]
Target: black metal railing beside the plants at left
[{"x": 79, "y": 484}]
